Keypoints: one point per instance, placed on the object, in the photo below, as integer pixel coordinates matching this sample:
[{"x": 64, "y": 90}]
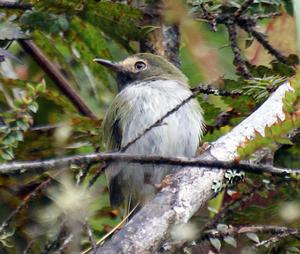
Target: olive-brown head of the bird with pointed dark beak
[{"x": 141, "y": 67}]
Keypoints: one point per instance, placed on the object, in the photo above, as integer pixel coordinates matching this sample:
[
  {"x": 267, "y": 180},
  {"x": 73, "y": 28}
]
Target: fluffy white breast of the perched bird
[{"x": 149, "y": 101}]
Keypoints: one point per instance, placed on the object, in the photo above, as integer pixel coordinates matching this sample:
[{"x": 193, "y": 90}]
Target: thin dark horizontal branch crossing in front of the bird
[{"x": 45, "y": 165}]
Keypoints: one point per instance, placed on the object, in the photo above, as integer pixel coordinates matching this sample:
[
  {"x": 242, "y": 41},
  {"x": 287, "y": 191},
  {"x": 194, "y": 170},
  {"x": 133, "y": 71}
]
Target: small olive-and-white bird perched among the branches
[{"x": 149, "y": 86}]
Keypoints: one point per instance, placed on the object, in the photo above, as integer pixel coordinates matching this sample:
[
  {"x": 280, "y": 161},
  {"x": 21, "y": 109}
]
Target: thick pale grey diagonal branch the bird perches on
[{"x": 191, "y": 187}]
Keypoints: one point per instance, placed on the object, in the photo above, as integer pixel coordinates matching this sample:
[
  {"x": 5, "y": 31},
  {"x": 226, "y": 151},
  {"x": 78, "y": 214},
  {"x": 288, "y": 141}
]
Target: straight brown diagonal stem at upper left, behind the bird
[{"x": 62, "y": 83}]
